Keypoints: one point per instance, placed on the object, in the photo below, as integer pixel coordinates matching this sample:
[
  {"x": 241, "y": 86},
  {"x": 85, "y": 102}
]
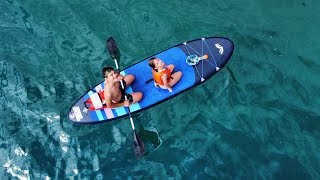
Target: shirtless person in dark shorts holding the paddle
[{"x": 114, "y": 95}]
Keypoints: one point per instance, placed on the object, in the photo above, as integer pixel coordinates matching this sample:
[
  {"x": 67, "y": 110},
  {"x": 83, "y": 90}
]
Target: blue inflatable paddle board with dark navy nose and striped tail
[{"x": 198, "y": 60}]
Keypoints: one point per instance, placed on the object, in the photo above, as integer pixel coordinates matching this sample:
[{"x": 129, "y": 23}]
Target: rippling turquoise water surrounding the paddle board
[{"x": 258, "y": 118}]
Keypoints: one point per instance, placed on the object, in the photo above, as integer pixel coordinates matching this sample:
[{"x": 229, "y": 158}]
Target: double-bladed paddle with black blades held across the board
[{"x": 137, "y": 141}]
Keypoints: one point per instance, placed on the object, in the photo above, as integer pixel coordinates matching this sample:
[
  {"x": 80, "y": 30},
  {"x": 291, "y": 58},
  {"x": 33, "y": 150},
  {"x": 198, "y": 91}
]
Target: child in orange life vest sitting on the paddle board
[{"x": 162, "y": 74}]
